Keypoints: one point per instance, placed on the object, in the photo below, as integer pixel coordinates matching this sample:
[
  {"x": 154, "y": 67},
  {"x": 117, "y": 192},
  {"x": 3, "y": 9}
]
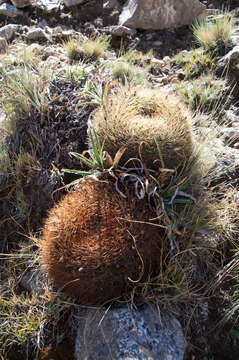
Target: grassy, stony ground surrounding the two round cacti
[{"x": 59, "y": 90}]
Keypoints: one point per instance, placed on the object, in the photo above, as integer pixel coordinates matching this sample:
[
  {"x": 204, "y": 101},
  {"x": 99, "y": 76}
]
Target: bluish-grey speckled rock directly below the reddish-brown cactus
[{"x": 127, "y": 333}]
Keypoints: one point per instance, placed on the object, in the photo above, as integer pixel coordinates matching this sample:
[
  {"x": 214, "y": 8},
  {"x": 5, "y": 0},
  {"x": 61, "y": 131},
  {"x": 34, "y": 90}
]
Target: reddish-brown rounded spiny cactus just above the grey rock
[{"x": 93, "y": 247}]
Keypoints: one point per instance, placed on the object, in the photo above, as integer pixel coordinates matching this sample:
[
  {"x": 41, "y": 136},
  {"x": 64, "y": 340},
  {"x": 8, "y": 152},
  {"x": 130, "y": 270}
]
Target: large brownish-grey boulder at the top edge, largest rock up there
[{"x": 160, "y": 14}]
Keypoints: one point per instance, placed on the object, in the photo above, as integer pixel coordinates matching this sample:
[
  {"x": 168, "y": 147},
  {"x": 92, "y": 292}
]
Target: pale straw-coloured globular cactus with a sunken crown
[{"x": 145, "y": 120}]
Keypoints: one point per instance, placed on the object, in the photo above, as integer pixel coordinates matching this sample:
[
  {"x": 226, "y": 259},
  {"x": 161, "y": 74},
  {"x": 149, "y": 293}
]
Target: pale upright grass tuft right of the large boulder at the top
[{"x": 210, "y": 34}]
